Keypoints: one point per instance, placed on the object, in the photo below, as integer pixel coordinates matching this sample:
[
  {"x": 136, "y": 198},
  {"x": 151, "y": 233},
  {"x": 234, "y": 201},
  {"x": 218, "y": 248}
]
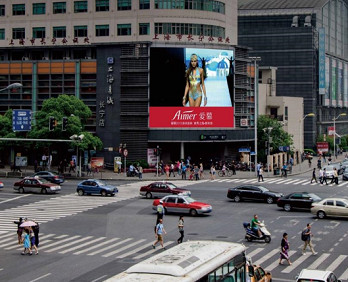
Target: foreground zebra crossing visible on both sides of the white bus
[{"x": 139, "y": 249}]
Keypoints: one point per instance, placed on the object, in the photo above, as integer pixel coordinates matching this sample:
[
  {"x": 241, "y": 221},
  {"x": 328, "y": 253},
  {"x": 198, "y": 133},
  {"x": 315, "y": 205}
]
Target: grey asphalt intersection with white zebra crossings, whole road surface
[{"x": 92, "y": 238}]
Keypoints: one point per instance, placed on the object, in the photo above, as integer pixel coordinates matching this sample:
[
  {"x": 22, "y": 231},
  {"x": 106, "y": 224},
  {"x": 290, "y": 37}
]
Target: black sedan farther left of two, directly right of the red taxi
[{"x": 253, "y": 192}]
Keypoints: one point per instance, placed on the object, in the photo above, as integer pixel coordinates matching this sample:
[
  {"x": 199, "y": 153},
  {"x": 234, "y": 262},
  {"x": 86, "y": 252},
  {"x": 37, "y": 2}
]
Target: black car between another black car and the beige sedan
[{"x": 298, "y": 200}]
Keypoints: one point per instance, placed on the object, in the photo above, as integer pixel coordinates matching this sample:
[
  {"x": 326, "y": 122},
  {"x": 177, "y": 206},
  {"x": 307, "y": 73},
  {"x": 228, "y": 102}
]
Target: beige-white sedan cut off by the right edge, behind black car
[{"x": 330, "y": 207}]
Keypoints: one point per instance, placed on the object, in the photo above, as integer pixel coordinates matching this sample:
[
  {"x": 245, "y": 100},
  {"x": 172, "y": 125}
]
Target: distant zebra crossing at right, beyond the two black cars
[{"x": 282, "y": 181}]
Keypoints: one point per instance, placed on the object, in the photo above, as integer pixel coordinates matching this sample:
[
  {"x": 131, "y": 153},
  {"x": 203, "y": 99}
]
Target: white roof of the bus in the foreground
[{"x": 186, "y": 257}]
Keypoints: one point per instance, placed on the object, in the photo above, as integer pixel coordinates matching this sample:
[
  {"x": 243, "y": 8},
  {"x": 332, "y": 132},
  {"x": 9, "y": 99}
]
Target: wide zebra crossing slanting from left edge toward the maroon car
[{"x": 67, "y": 205}]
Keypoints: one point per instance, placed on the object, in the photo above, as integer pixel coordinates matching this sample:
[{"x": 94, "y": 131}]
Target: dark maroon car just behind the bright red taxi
[{"x": 161, "y": 189}]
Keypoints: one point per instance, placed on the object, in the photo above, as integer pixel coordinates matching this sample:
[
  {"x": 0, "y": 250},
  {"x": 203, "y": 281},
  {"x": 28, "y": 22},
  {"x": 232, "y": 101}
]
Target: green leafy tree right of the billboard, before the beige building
[{"x": 278, "y": 135}]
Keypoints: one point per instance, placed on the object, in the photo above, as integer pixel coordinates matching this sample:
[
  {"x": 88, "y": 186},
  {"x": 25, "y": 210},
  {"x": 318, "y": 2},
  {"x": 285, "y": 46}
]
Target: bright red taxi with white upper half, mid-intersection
[{"x": 182, "y": 204}]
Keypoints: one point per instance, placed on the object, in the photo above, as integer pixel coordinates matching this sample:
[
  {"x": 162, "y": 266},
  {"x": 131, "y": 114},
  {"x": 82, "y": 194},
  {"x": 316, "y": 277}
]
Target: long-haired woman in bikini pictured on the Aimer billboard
[{"x": 195, "y": 87}]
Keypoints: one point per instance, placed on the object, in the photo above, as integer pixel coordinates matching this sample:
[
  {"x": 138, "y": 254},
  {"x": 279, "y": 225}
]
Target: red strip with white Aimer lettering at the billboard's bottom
[{"x": 189, "y": 117}]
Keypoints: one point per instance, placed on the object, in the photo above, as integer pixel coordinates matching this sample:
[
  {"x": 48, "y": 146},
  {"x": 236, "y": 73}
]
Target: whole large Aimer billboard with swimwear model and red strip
[{"x": 191, "y": 88}]
